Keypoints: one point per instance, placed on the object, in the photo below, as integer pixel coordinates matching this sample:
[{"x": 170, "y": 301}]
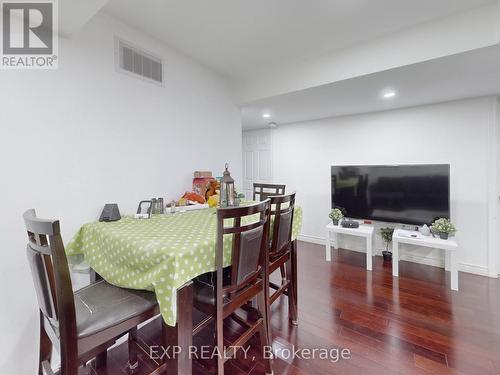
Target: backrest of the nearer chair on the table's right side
[{"x": 249, "y": 230}]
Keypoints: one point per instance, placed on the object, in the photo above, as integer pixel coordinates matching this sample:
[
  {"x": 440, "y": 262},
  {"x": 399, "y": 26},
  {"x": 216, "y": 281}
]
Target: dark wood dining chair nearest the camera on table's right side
[{"x": 246, "y": 279}]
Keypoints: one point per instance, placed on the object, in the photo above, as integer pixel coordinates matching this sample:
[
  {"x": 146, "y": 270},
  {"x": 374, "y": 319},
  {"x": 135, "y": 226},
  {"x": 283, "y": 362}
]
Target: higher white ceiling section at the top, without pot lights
[{"x": 238, "y": 37}]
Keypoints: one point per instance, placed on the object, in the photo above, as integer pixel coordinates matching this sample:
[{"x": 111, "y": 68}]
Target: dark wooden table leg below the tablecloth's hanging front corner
[{"x": 181, "y": 336}]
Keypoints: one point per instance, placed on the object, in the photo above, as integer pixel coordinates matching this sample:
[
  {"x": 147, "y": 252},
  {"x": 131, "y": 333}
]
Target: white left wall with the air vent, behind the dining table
[{"x": 76, "y": 138}]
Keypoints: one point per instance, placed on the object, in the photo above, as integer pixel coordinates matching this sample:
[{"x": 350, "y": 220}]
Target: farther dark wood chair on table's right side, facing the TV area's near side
[{"x": 283, "y": 252}]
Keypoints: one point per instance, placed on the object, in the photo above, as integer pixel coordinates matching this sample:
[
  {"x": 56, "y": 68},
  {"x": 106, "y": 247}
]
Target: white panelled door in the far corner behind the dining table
[{"x": 257, "y": 159}]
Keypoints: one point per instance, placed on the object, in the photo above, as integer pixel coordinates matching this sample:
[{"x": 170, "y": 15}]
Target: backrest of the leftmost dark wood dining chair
[{"x": 50, "y": 271}]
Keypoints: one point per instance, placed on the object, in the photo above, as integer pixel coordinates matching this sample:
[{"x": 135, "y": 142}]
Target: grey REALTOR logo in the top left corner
[{"x": 29, "y": 34}]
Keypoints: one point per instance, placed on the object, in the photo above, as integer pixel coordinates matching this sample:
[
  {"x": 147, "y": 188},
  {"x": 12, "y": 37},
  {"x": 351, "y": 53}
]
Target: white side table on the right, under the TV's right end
[{"x": 415, "y": 238}]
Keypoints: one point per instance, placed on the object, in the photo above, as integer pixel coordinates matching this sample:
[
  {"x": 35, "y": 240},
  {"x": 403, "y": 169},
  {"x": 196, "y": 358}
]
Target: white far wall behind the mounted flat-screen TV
[{"x": 456, "y": 132}]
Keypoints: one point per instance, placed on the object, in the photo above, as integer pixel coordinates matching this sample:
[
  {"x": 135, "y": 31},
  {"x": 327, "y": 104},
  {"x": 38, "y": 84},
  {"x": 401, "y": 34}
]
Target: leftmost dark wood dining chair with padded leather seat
[{"x": 82, "y": 325}]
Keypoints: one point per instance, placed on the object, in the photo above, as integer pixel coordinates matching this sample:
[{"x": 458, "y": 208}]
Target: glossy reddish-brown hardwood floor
[{"x": 410, "y": 325}]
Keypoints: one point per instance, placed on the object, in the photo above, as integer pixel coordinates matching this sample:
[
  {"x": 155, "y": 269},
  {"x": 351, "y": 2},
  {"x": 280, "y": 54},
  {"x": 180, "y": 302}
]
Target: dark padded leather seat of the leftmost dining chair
[{"x": 101, "y": 305}]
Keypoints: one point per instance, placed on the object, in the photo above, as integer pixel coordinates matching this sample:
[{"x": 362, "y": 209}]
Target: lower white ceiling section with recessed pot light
[{"x": 470, "y": 74}]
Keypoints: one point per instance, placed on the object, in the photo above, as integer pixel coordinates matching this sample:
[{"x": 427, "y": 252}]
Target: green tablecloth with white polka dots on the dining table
[{"x": 159, "y": 254}]
